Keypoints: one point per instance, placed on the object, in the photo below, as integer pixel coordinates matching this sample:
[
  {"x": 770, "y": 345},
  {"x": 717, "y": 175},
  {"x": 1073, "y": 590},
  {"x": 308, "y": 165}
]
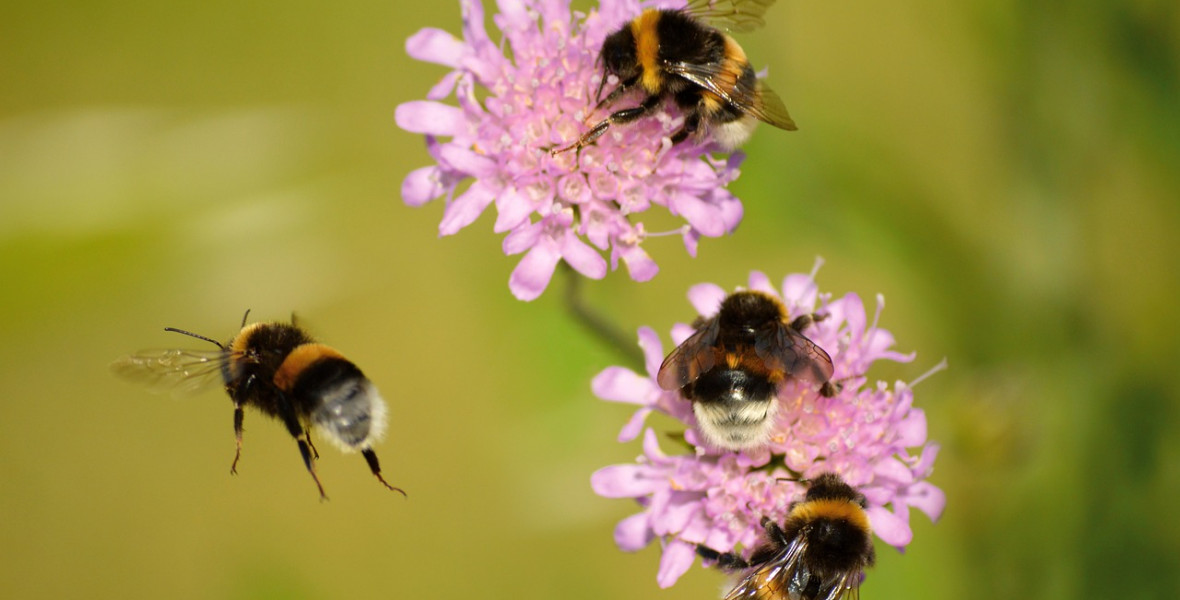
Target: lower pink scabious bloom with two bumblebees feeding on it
[{"x": 718, "y": 498}]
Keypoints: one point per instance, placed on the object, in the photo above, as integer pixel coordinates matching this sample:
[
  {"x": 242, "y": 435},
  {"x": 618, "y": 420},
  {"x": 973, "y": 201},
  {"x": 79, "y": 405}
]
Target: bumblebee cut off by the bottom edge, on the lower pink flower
[{"x": 821, "y": 552}]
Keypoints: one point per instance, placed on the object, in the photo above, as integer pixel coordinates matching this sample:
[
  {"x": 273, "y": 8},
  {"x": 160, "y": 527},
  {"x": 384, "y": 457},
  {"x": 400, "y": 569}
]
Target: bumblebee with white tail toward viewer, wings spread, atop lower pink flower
[{"x": 733, "y": 367}]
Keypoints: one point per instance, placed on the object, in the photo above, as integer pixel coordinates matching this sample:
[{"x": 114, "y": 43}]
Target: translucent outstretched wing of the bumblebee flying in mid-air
[{"x": 178, "y": 371}]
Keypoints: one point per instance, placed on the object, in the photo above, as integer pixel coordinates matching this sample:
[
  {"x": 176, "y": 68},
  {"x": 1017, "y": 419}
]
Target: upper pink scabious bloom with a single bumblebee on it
[{"x": 532, "y": 92}]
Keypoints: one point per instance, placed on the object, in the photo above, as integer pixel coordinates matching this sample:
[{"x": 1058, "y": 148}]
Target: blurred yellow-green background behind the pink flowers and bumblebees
[{"x": 1006, "y": 174}]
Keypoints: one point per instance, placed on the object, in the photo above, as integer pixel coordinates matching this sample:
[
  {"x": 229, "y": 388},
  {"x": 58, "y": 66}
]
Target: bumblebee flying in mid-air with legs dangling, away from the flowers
[{"x": 280, "y": 371}]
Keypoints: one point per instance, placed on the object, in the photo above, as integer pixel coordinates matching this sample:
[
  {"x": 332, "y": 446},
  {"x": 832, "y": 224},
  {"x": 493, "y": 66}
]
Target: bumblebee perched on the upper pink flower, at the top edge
[{"x": 681, "y": 55}]
